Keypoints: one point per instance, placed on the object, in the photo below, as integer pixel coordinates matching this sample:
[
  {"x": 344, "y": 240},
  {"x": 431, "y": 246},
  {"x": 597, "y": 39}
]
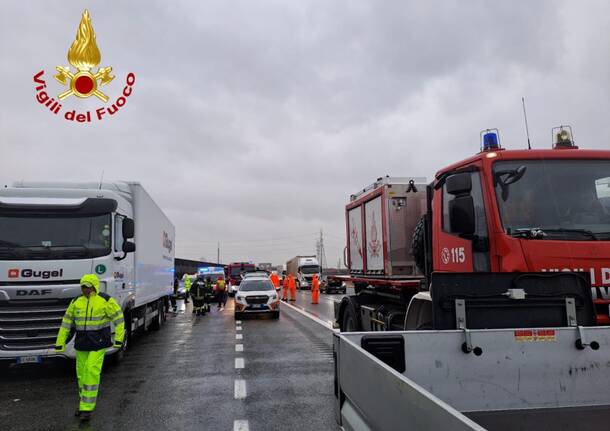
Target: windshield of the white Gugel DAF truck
[{"x": 54, "y": 237}]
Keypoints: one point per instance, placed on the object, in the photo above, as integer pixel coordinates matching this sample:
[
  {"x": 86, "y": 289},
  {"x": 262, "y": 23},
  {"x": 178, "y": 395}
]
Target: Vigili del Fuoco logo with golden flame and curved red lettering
[{"x": 83, "y": 82}]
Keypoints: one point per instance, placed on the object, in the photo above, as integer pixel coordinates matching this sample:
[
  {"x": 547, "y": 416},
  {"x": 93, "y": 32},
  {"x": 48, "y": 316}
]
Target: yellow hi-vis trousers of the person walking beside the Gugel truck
[{"x": 88, "y": 372}]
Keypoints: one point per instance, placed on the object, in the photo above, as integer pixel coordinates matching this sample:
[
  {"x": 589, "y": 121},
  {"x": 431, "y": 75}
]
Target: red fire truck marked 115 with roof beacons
[{"x": 535, "y": 212}]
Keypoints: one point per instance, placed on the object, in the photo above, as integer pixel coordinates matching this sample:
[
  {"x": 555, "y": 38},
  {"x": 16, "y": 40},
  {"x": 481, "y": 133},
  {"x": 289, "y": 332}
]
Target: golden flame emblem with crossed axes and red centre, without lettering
[{"x": 84, "y": 55}]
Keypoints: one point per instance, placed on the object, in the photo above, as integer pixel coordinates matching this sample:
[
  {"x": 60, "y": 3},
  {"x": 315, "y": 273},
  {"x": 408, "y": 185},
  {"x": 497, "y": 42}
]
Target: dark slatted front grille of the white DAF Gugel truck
[{"x": 30, "y": 324}]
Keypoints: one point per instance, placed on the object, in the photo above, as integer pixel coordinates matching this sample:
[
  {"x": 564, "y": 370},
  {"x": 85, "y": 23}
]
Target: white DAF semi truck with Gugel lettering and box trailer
[{"x": 53, "y": 233}]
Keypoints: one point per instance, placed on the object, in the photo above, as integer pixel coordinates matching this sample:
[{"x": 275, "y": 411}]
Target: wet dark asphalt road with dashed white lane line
[{"x": 191, "y": 375}]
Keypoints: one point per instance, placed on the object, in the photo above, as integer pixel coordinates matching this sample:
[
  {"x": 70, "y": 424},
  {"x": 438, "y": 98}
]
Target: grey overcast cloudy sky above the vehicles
[{"x": 251, "y": 122}]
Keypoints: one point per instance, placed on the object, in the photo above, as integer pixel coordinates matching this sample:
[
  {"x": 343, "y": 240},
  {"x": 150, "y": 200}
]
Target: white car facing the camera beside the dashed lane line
[{"x": 257, "y": 295}]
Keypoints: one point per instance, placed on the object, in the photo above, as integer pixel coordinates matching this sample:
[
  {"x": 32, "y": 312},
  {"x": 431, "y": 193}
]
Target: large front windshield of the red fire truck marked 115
[{"x": 560, "y": 199}]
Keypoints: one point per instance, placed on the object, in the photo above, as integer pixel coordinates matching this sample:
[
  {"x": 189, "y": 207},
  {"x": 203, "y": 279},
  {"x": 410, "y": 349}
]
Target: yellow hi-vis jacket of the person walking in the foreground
[{"x": 91, "y": 318}]
